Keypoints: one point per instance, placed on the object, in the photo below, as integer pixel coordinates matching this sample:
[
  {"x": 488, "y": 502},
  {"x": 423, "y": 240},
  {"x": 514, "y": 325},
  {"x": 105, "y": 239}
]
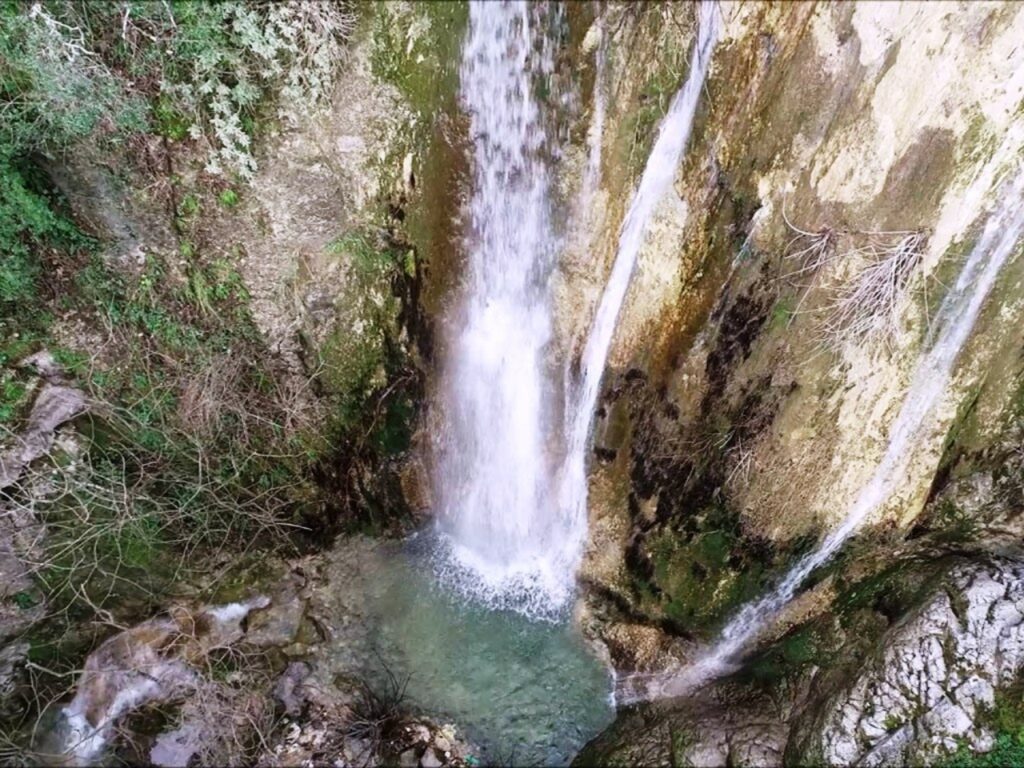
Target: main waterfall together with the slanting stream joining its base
[{"x": 513, "y": 515}]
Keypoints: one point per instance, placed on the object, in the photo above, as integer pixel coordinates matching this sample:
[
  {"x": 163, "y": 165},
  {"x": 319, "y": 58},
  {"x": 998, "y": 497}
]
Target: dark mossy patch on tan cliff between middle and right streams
[{"x": 694, "y": 564}]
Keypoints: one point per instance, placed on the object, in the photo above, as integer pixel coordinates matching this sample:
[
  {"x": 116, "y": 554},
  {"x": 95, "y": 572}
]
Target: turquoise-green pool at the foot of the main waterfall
[{"x": 527, "y": 693}]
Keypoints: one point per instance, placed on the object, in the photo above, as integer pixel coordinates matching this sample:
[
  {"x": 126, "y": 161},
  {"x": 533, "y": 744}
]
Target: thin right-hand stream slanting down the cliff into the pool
[{"x": 953, "y": 328}]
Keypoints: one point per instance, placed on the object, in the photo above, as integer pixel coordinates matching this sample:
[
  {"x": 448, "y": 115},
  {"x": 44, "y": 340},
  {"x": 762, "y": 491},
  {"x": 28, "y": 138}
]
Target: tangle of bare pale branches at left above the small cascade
[{"x": 104, "y": 516}]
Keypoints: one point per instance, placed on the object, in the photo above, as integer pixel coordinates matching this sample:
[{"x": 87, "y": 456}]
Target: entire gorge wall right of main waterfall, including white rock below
[{"x": 741, "y": 416}]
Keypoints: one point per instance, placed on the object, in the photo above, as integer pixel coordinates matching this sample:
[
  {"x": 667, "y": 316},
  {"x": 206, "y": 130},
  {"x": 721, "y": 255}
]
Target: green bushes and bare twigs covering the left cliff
[{"x": 194, "y": 455}]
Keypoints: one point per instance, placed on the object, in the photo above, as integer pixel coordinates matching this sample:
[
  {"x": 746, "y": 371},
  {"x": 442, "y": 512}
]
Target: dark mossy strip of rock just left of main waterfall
[{"x": 367, "y": 371}]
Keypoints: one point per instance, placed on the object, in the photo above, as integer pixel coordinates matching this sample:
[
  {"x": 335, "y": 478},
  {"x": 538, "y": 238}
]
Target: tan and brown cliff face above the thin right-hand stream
[{"x": 733, "y": 430}]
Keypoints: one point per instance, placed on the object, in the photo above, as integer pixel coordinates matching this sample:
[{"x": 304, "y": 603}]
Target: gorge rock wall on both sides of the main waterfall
[{"x": 750, "y": 392}]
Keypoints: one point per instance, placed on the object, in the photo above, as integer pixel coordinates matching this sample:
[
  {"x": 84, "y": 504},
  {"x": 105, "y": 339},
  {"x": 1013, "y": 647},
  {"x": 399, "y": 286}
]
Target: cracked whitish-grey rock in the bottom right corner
[{"x": 938, "y": 671}]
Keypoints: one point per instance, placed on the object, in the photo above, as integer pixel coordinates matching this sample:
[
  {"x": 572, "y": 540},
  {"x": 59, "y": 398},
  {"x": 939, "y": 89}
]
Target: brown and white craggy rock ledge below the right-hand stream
[{"x": 921, "y": 695}]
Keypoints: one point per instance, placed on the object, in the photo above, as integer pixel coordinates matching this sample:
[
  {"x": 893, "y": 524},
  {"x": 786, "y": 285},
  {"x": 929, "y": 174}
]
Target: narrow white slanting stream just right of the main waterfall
[{"x": 658, "y": 177}]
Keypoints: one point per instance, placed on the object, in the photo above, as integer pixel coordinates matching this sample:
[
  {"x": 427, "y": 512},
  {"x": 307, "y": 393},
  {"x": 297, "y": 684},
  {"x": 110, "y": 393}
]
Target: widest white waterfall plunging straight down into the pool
[{"x": 504, "y": 538}]
